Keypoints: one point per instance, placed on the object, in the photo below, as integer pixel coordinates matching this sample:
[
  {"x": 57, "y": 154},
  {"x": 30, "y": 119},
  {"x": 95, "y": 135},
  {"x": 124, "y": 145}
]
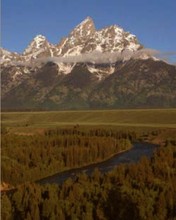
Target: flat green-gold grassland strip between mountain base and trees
[{"x": 36, "y": 121}]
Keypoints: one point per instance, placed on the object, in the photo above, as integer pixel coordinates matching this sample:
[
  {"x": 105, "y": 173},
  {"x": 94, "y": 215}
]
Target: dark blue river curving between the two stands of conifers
[{"x": 131, "y": 156}]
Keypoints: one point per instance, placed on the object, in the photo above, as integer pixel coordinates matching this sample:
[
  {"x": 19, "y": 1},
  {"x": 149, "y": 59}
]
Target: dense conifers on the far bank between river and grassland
[{"x": 28, "y": 158}]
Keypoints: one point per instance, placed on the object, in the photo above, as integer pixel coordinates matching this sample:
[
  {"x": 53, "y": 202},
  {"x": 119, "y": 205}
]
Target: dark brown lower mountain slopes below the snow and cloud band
[{"x": 134, "y": 84}]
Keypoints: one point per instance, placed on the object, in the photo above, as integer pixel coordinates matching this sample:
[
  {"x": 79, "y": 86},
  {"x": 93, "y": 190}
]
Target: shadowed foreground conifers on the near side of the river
[{"x": 145, "y": 190}]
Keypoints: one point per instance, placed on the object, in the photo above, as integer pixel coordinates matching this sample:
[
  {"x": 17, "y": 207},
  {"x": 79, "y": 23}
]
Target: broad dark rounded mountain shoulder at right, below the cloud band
[{"x": 138, "y": 83}]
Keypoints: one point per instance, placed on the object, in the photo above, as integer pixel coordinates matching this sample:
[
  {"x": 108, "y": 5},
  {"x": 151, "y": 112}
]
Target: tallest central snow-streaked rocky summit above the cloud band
[{"x": 85, "y": 39}]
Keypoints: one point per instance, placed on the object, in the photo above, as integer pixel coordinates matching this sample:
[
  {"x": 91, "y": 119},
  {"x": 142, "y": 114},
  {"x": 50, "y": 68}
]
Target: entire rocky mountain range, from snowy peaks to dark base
[{"x": 90, "y": 68}]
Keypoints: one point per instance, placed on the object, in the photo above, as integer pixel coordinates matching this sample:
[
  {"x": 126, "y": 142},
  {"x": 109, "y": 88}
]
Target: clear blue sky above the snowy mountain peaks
[{"x": 152, "y": 21}]
